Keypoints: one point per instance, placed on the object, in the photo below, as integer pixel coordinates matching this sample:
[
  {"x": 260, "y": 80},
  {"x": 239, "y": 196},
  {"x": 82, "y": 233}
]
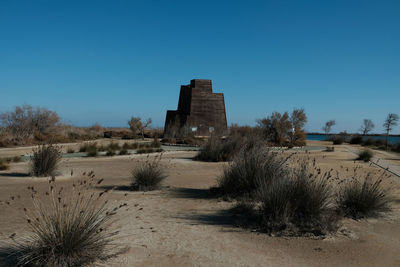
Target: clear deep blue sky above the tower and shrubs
[{"x": 104, "y": 61}]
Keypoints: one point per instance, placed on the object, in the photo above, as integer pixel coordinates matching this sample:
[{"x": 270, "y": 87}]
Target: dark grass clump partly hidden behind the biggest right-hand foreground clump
[{"x": 250, "y": 166}]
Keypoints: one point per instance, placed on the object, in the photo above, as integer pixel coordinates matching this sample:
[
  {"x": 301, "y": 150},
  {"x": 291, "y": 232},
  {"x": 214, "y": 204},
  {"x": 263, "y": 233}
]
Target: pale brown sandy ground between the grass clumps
[{"x": 181, "y": 225}]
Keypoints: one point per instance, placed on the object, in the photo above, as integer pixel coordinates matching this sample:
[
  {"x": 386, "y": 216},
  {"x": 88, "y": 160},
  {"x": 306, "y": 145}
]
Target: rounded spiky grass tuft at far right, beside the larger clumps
[{"x": 365, "y": 198}]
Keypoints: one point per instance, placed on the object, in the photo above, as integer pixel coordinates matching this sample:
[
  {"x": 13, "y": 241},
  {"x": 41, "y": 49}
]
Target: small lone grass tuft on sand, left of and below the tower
[{"x": 148, "y": 175}]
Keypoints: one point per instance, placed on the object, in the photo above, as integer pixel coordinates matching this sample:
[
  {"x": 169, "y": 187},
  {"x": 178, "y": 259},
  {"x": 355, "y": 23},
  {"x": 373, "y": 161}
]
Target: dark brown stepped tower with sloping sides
[{"x": 200, "y": 111}]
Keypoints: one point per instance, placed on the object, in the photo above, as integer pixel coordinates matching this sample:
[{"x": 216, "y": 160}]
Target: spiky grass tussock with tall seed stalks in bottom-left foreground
[{"x": 66, "y": 229}]
